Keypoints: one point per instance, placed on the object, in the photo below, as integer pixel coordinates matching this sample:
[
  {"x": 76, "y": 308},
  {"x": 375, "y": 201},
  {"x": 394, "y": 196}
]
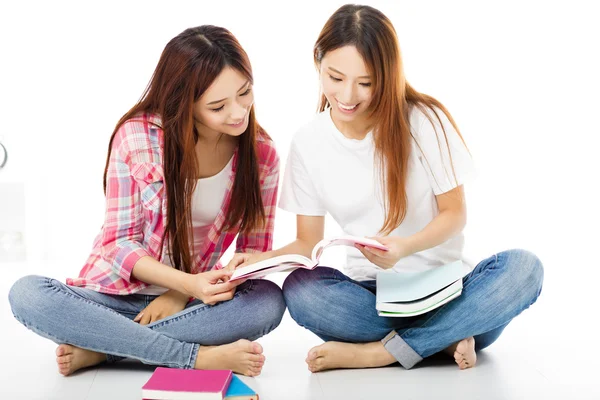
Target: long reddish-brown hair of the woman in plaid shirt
[{"x": 187, "y": 67}]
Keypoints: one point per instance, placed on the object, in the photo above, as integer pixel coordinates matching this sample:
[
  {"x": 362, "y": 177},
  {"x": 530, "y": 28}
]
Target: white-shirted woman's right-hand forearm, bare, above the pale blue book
[{"x": 443, "y": 227}]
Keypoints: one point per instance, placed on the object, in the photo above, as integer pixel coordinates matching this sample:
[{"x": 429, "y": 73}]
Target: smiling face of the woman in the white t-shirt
[{"x": 346, "y": 83}]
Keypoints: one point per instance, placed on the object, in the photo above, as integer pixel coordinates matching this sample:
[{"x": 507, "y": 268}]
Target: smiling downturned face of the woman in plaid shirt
[{"x": 225, "y": 105}]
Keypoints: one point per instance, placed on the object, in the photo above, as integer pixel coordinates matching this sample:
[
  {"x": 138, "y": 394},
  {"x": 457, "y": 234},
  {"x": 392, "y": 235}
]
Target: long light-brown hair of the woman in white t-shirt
[{"x": 374, "y": 37}]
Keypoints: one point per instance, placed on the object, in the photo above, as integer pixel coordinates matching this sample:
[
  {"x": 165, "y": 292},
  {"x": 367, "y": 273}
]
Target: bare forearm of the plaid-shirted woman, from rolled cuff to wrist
[{"x": 148, "y": 270}]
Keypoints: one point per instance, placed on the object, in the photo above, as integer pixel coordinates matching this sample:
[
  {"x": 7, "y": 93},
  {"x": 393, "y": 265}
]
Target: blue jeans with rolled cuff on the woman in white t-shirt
[{"x": 335, "y": 307}]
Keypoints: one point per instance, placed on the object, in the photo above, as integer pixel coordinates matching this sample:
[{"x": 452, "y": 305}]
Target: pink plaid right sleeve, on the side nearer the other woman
[{"x": 261, "y": 239}]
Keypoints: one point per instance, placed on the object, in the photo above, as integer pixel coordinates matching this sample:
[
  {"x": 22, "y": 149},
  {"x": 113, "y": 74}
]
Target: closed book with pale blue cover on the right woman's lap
[{"x": 406, "y": 294}]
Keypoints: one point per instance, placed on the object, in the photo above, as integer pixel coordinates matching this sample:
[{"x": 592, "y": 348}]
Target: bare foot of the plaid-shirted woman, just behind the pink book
[{"x": 243, "y": 357}]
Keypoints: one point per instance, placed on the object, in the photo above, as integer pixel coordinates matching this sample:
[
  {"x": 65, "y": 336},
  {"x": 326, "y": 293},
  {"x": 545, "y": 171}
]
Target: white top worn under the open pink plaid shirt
[{"x": 207, "y": 201}]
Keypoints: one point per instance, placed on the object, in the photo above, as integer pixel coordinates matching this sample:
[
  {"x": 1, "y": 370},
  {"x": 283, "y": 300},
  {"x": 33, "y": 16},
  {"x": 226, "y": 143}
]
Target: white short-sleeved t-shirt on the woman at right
[{"x": 327, "y": 172}]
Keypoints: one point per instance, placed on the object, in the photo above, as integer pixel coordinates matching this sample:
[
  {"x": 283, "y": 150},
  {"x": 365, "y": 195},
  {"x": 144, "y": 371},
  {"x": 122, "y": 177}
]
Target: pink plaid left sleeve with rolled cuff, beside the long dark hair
[{"x": 122, "y": 234}]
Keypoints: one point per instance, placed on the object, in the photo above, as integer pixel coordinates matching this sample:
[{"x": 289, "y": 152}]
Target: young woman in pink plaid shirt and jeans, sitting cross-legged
[{"x": 188, "y": 168}]
